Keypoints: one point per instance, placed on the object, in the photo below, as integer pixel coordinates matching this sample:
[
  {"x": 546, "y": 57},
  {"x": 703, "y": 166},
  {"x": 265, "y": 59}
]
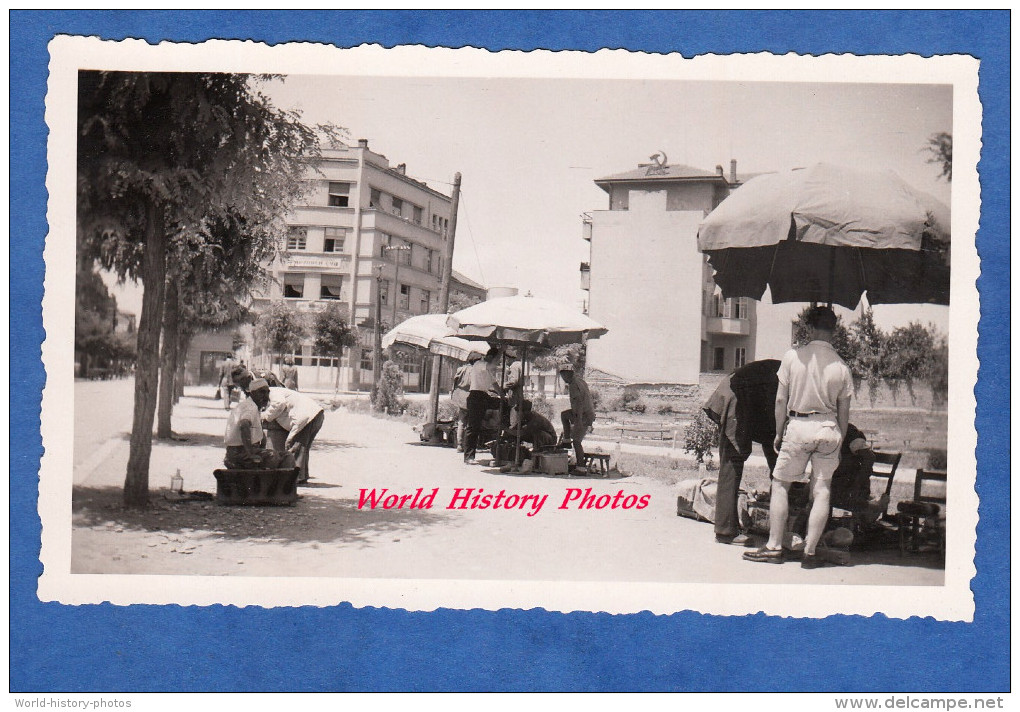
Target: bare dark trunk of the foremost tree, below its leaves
[{"x": 147, "y": 372}]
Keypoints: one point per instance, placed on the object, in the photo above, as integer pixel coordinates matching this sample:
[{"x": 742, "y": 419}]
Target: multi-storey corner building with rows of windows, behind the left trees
[{"x": 367, "y": 235}]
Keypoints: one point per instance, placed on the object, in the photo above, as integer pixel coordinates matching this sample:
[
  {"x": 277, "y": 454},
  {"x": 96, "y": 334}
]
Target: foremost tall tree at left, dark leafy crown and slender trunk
[{"x": 162, "y": 157}]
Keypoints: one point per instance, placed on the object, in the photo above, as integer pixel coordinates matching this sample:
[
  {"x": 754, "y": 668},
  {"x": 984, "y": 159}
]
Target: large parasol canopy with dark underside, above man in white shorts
[{"x": 831, "y": 234}]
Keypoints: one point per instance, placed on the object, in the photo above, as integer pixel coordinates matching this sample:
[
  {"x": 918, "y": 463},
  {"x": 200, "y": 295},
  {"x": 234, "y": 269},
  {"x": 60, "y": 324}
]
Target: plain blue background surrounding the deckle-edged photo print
[{"x": 151, "y": 648}]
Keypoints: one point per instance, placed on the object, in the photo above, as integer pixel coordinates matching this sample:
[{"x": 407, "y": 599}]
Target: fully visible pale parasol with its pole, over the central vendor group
[{"x": 526, "y": 323}]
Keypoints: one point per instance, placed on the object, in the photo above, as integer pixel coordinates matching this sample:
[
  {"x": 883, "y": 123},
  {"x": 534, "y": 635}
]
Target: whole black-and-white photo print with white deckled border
[{"x": 422, "y": 328}]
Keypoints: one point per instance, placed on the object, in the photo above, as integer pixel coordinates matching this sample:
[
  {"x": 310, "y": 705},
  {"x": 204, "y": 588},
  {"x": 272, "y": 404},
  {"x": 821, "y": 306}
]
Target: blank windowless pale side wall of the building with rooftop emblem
[{"x": 646, "y": 277}]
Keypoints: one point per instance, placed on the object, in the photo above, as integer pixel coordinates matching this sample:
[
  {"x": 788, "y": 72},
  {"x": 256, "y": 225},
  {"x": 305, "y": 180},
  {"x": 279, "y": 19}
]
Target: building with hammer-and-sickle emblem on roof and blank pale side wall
[{"x": 651, "y": 287}]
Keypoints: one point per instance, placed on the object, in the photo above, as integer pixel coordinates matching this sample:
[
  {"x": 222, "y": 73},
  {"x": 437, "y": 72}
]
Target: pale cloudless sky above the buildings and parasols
[{"x": 530, "y": 150}]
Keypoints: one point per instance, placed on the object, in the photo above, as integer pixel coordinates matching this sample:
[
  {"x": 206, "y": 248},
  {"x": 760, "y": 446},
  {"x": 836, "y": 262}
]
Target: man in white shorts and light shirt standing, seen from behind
[{"x": 812, "y": 413}]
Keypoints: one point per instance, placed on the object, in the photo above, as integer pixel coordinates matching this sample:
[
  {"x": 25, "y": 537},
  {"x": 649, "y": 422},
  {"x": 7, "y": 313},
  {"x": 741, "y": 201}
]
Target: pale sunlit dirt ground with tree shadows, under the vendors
[{"x": 326, "y": 534}]
